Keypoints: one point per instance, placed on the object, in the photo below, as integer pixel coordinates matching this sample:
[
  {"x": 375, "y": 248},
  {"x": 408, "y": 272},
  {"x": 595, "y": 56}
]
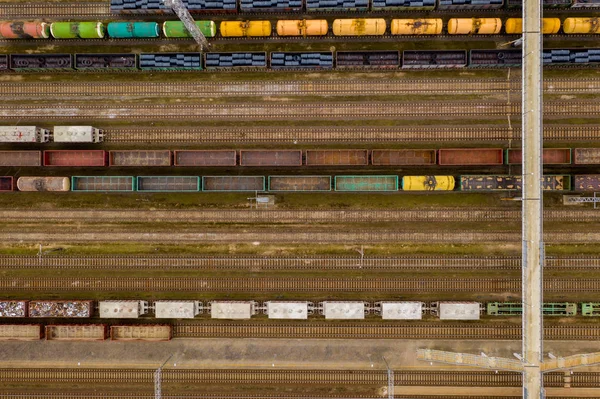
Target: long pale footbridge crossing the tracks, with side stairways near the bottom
[{"x": 530, "y": 362}]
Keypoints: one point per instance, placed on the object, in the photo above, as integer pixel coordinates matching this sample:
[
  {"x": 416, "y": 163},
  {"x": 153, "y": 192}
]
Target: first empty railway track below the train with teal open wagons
[{"x": 294, "y": 216}]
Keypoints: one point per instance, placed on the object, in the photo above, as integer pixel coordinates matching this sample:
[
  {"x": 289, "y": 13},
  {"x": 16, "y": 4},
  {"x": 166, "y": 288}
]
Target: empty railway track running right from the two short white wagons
[{"x": 324, "y": 134}]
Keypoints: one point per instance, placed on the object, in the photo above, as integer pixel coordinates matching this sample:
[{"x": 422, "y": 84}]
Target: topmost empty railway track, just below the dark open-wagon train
[{"x": 203, "y": 89}]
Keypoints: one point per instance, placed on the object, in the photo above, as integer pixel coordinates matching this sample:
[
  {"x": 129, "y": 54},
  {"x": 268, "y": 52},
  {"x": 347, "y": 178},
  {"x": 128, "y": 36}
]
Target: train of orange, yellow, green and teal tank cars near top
[{"x": 299, "y": 28}]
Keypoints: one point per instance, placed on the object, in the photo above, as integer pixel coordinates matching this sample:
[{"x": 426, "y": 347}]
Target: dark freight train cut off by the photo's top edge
[{"x": 235, "y": 6}]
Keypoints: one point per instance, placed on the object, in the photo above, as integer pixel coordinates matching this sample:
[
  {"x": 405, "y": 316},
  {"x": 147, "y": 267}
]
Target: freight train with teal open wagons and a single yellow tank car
[{"x": 294, "y": 183}]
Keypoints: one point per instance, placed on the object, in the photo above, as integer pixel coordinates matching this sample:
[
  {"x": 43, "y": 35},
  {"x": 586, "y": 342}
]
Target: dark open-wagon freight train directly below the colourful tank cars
[{"x": 290, "y": 60}]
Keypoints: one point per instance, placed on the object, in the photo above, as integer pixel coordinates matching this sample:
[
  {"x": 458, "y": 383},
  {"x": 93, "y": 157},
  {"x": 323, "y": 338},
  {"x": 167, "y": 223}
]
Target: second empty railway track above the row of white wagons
[{"x": 166, "y": 262}]
